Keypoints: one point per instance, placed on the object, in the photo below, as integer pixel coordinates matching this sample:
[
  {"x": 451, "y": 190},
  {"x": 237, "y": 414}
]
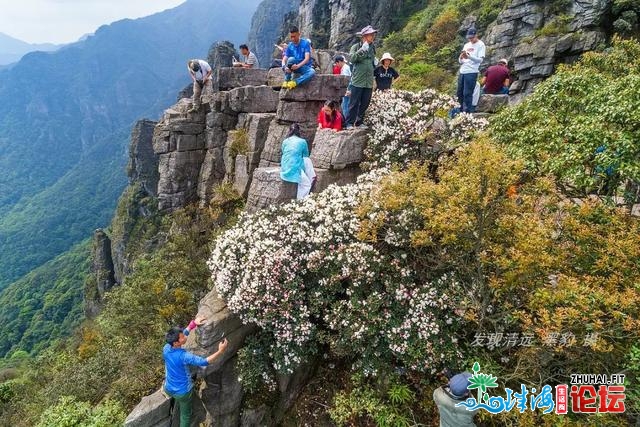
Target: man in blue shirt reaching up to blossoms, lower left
[{"x": 178, "y": 383}]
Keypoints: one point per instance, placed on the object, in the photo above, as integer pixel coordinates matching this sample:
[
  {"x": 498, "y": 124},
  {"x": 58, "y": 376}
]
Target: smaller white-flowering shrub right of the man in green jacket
[{"x": 405, "y": 125}]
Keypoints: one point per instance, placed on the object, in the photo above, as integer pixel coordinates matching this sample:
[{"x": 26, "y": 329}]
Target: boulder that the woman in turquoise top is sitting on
[{"x": 267, "y": 188}]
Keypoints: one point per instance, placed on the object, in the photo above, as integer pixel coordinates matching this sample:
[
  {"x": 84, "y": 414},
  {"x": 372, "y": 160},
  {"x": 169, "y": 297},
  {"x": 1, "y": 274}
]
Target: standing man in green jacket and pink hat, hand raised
[{"x": 363, "y": 57}]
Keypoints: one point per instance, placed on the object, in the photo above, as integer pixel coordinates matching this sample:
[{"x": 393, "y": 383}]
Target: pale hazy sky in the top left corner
[{"x": 63, "y": 21}]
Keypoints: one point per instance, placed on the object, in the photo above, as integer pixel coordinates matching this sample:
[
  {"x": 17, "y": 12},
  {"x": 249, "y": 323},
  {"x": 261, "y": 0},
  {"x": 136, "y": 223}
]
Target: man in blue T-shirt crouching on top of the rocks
[{"x": 297, "y": 61}]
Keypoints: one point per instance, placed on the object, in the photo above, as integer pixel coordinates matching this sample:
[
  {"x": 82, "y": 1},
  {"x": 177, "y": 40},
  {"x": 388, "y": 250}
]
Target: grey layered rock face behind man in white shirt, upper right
[{"x": 537, "y": 38}]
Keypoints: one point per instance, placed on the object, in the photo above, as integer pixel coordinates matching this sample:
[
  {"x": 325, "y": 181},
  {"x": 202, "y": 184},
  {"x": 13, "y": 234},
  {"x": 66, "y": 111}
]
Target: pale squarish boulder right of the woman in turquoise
[{"x": 337, "y": 150}]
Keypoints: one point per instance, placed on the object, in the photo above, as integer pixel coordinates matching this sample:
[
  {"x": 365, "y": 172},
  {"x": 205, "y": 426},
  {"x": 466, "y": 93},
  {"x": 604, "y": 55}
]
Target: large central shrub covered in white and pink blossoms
[{"x": 300, "y": 274}]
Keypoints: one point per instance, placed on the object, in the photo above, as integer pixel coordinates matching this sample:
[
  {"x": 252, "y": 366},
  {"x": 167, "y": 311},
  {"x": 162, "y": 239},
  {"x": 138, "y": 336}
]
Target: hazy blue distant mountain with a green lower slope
[{"x": 65, "y": 118}]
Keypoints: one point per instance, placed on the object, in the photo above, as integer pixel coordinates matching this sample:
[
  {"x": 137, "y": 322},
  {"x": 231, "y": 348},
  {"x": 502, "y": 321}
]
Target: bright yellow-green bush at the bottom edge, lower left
[{"x": 71, "y": 413}]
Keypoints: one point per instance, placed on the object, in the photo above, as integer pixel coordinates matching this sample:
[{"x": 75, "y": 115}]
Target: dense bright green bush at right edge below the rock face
[{"x": 581, "y": 125}]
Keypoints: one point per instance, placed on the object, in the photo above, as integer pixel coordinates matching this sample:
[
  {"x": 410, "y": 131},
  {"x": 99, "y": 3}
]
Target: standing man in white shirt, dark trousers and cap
[{"x": 470, "y": 58}]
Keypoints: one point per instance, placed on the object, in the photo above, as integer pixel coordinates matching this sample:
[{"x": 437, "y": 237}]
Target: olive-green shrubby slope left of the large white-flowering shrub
[{"x": 118, "y": 356}]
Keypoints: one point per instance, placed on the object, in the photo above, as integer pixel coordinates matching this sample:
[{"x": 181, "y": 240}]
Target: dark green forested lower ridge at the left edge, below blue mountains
[{"x": 46, "y": 305}]
